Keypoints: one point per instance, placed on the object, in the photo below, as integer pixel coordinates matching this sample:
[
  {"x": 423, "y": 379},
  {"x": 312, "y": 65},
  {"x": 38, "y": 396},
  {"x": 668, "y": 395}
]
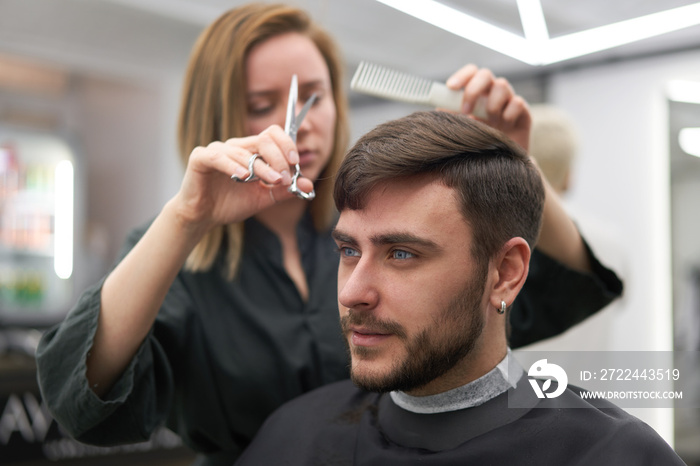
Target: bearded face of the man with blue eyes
[{"x": 411, "y": 296}]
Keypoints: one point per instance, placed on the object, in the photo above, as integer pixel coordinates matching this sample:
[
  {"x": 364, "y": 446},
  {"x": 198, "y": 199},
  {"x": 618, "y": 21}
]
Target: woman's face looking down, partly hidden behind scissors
[{"x": 269, "y": 69}]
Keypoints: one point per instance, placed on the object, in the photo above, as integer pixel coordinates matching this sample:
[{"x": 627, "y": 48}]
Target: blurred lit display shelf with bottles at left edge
[{"x": 36, "y": 226}]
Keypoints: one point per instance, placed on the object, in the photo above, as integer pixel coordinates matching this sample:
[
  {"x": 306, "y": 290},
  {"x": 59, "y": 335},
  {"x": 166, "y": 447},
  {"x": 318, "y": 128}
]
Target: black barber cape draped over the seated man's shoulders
[{"x": 342, "y": 425}]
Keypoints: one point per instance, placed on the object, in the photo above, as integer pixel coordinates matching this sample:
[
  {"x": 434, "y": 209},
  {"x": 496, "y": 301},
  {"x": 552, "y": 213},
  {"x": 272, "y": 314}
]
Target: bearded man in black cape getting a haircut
[{"x": 438, "y": 214}]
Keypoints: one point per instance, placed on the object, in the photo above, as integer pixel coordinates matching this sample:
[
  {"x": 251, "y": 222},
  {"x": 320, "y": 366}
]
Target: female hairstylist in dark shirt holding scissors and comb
[{"x": 225, "y": 306}]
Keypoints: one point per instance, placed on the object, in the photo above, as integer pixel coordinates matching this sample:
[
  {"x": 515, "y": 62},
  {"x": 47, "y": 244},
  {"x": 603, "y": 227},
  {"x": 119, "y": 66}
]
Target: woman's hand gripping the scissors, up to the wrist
[{"x": 209, "y": 196}]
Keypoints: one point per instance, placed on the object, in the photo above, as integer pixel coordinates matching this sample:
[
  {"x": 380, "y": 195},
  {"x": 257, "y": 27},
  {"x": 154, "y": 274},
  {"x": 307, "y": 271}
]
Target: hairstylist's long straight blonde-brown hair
[{"x": 214, "y": 109}]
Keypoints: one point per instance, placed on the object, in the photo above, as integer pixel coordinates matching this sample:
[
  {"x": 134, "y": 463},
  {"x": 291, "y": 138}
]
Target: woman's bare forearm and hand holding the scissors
[{"x": 133, "y": 293}]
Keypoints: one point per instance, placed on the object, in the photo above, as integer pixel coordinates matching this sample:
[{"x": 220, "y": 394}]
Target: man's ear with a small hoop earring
[{"x": 510, "y": 269}]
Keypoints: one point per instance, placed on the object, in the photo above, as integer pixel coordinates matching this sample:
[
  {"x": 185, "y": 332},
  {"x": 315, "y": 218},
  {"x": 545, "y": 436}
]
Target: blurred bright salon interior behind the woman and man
[{"x": 89, "y": 96}]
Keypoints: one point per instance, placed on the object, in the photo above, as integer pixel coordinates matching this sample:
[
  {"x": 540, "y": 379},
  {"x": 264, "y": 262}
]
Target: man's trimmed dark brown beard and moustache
[{"x": 452, "y": 336}]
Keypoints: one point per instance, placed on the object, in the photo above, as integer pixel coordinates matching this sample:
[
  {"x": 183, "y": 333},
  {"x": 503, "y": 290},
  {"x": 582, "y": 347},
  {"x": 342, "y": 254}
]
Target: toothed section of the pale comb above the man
[{"x": 384, "y": 82}]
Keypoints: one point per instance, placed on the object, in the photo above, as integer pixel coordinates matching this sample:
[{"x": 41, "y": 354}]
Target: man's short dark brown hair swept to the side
[{"x": 499, "y": 189}]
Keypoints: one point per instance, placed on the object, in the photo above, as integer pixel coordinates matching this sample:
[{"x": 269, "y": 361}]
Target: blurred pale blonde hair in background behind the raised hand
[{"x": 553, "y": 143}]
